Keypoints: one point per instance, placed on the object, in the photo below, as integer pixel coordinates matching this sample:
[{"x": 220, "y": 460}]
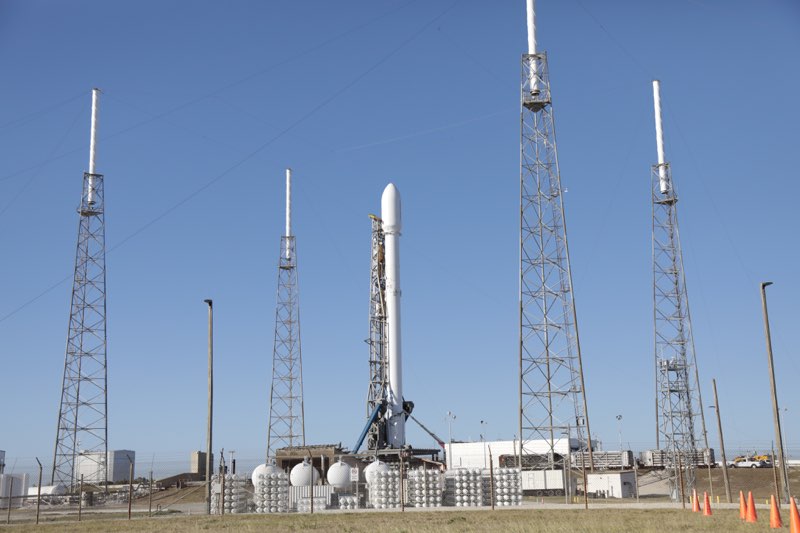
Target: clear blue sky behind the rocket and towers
[{"x": 205, "y": 103}]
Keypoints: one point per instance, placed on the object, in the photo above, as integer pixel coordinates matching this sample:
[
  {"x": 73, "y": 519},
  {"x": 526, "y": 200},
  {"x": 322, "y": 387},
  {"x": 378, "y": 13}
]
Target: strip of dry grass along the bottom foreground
[{"x": 508, "y": 521}]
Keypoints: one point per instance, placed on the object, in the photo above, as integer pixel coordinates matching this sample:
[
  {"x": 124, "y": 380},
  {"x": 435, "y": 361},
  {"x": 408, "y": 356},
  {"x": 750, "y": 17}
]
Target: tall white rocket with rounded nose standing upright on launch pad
[{"x": 392, "y": 226}]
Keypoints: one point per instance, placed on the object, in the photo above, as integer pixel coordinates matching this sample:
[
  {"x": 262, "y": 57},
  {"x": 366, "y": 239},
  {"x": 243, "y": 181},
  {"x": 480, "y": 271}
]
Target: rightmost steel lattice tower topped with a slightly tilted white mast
[{"x": 677, "y": 380}]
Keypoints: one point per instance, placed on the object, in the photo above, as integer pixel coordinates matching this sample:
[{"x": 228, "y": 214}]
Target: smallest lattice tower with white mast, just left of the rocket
[{"x": 286, "y": 417}]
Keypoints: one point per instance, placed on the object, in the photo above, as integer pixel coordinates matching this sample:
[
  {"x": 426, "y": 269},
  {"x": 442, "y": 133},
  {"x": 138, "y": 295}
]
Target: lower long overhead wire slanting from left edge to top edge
[{"x": 324, "y": 103}]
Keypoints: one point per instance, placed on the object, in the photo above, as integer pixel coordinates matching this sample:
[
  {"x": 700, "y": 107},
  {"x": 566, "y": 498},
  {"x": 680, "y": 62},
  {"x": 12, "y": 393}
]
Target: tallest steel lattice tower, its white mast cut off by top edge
[{"x": 552, "y": 393}]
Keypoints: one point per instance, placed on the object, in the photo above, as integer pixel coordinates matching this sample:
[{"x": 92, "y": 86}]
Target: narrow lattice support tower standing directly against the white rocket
[{"x": 378, "y": 365}]
